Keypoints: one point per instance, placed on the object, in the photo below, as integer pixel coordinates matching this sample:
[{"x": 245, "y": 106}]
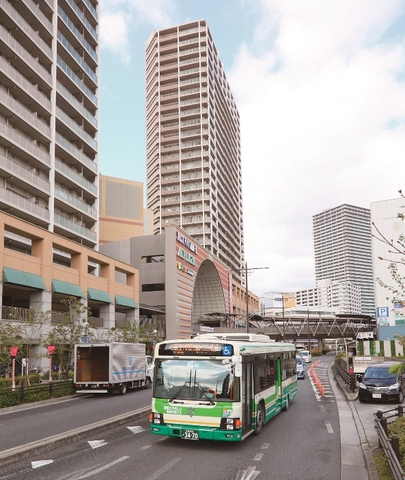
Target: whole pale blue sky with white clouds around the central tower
[{"x": 320, "y": 88}]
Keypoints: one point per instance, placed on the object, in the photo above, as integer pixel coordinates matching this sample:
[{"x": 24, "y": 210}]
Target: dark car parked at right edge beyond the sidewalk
[{"x": 379, "y": 384}]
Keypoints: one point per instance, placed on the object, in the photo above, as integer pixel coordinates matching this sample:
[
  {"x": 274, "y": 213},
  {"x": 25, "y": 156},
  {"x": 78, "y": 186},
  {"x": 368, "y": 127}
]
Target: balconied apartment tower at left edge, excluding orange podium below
[{"x": 48, "y": 115}]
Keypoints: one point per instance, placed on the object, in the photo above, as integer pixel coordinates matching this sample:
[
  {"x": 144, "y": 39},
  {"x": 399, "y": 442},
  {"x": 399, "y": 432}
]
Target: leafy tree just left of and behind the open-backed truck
[{"x": 76, "y": 324}]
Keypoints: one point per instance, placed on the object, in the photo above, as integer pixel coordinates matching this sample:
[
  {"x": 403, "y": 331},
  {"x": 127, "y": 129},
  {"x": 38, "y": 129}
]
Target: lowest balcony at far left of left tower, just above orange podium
[{"x": 23, "y": 208}]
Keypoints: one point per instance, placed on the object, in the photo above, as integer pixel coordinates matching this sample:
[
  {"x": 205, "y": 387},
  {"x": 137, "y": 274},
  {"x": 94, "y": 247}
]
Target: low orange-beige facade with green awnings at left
[{"x": 39, "y": 269}]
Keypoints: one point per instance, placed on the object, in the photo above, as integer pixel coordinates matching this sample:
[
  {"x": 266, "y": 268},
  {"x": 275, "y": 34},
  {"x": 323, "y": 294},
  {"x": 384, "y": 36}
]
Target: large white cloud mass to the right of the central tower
[{"x": 320, "y": 92}]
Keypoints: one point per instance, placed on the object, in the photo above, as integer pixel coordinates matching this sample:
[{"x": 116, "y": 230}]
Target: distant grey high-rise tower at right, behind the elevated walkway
[{"x": 342, "y": 243}]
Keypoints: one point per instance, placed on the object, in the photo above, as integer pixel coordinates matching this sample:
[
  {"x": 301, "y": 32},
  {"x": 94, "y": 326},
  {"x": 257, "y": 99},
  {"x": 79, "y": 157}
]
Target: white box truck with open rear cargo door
[{"x": 111, "y": 367}]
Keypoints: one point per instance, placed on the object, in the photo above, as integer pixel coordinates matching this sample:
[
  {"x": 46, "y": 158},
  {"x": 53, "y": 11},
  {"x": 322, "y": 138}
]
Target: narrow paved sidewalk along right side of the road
[{"x": 357, "y": 456}]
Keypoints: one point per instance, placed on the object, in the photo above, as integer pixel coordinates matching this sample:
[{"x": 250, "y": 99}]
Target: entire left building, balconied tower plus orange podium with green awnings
[{"x": 49, "y": 168}]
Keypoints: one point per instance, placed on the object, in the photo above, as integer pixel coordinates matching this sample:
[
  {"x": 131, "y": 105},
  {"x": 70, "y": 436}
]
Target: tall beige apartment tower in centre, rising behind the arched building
[{"x": 194, "y": 169}]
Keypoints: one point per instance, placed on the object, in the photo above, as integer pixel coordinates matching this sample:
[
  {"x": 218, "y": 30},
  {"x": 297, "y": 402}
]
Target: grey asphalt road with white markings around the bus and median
[{"x": 303, "y": 442}]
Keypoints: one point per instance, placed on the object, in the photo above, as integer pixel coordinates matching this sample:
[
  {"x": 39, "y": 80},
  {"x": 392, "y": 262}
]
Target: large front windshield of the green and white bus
[{"x": 203, "y": 379}]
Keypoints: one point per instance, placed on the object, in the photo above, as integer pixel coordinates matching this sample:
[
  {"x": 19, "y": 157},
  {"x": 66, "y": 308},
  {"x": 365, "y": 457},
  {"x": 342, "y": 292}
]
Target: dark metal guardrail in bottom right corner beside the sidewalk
[{"x": 390, "y": 445}]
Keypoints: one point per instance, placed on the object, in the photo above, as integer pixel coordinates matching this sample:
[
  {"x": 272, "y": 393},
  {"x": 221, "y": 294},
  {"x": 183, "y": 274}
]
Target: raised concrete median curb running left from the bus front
[{"x": 46, "y": 444}]
